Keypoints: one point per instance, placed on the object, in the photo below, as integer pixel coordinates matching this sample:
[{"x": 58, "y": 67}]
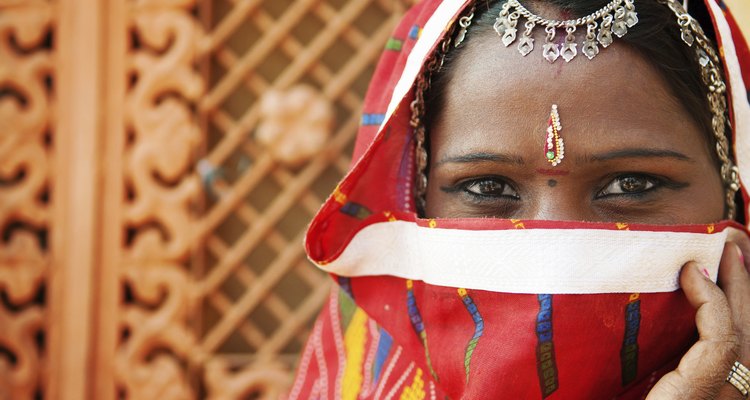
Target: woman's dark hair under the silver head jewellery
[{"x": 656, "y": 37}]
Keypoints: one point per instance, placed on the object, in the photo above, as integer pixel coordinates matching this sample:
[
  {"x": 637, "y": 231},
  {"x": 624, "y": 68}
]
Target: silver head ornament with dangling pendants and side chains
[{"x": 615, "y": 17}]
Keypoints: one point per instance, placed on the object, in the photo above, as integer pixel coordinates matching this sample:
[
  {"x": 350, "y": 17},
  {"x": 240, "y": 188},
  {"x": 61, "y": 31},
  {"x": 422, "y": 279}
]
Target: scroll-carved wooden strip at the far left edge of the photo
[{"x": 25, "y": 113}]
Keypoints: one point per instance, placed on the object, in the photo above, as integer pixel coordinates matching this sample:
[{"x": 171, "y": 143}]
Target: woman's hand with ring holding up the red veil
[{"x": 723, "y": 321}]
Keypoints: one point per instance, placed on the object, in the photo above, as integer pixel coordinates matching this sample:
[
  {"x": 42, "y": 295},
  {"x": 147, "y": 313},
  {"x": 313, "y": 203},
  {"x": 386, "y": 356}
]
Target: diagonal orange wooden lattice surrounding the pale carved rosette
[{"x": 257, "y": 291}]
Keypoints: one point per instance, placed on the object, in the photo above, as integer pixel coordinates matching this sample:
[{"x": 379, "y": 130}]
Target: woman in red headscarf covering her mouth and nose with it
[{"x": 460, "y": 271}]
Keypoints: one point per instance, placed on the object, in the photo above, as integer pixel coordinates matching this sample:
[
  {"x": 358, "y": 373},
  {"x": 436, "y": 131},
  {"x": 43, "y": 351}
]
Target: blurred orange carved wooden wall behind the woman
[{"x": 159, "y": 161}]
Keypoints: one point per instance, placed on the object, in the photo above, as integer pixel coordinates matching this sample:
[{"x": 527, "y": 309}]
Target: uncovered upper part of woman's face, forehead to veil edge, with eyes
[{"x": 632, "y": 153}]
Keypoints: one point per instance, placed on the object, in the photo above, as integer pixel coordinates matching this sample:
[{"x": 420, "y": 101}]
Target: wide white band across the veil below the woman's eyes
[{"x": 569, "y": 261}]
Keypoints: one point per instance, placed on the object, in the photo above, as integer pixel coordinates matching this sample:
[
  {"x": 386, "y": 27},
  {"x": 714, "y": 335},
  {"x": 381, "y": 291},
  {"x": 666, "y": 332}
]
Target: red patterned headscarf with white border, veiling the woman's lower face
[{"x": 467, "y": 308}]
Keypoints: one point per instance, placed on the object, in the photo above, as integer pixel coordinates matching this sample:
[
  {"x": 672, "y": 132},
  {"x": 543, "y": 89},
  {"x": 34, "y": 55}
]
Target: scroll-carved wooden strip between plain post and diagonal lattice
[{"x": 162, "y": 136}]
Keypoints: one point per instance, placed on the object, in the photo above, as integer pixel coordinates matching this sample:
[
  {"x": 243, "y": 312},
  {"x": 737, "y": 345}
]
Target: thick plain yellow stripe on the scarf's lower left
[{"x": 354, "y": 343}]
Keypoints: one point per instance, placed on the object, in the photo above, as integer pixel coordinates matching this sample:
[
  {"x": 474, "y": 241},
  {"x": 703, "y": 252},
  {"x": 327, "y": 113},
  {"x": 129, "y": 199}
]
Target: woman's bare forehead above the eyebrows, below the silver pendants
[{"x": 494, "y": 96}]
